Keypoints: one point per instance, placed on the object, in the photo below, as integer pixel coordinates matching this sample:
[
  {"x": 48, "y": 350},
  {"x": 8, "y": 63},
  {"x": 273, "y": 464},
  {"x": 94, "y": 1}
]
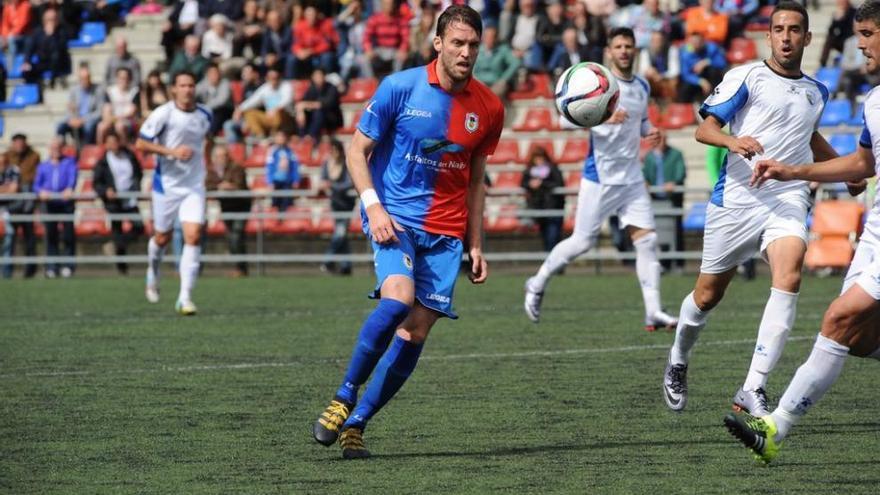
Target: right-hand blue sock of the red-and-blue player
[{"x": 391, "y": 373}]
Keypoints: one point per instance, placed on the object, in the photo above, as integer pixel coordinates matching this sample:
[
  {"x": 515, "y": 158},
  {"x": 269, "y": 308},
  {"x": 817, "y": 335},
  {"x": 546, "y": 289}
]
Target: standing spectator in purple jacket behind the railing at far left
[{"x": 57, "y": 176}]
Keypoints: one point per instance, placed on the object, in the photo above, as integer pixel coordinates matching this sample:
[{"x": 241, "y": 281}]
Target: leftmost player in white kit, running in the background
[{"x": 176, "y": 133}]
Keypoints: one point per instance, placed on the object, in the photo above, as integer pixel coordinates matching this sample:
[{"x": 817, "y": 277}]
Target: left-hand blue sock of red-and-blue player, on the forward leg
[{"x": 375, "y": 335}]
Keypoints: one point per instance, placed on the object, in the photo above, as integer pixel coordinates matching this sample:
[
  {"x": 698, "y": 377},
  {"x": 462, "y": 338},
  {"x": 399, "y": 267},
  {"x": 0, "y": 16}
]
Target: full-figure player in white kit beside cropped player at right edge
[{"x": 773, "y": 110}]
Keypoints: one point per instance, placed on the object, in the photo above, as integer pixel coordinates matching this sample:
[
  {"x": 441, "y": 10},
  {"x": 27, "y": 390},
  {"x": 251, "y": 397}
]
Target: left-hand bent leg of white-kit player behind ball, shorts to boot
[{"x": 588, "y": 221}]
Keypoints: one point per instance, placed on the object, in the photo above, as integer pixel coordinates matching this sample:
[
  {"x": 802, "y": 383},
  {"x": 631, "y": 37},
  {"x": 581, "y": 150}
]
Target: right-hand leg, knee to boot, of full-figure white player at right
[{"x": 786, "y": 256}]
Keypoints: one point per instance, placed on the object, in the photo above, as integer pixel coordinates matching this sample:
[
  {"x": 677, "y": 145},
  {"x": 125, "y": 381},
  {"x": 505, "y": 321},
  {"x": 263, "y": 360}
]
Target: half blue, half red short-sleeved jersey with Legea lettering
[{"x": 425, "y": 139}]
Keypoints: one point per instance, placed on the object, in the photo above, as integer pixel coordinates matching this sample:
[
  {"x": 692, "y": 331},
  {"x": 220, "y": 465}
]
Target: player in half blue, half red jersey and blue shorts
[{"x": 417, "y": 159}]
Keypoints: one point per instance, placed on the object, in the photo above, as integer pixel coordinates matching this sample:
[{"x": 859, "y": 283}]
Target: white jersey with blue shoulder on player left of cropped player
[{"x": 781, "y": 113}]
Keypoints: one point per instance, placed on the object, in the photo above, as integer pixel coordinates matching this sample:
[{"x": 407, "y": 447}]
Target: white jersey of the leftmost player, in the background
[{"x": 172, "y": 127}]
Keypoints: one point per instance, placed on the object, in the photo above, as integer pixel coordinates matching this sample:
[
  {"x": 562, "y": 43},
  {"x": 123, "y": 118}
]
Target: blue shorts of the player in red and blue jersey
[{"x": 431, "y": 260}]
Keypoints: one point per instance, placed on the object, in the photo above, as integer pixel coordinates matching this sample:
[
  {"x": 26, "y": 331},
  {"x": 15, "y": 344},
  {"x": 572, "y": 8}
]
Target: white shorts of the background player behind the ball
[{"x": 596, "y": 202}]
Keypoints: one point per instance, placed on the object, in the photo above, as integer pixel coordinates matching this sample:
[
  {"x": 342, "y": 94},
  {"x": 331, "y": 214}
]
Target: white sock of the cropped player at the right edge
[{"x": 810, "y": 383}]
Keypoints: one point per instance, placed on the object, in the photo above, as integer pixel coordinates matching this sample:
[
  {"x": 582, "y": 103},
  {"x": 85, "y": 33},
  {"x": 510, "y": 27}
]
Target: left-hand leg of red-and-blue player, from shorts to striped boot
[{"x": 396, "y": 289}]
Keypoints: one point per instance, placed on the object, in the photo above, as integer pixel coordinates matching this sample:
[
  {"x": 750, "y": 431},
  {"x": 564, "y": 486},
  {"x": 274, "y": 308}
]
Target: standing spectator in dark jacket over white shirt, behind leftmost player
[{"x": 119, "y": 171}]
